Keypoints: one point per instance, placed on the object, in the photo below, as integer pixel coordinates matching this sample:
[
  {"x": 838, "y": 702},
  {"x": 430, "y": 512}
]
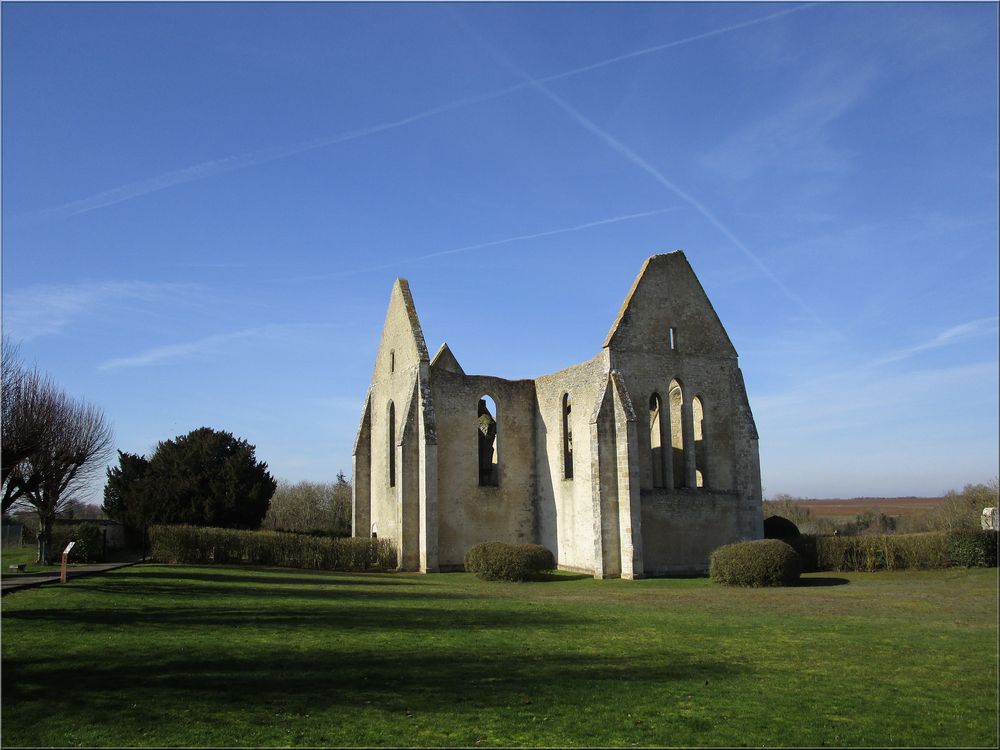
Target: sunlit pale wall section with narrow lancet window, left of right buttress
[{"x": 565, "y": 510}]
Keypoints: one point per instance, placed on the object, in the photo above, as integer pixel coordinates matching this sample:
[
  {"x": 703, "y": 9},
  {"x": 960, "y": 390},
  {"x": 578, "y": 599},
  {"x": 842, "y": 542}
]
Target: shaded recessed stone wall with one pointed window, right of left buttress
[{"x": 467, "y": 512}]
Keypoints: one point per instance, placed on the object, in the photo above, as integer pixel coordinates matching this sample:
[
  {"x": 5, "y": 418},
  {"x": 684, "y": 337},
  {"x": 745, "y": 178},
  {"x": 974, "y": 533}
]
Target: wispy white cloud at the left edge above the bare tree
[{"x": 48, "y": 309}]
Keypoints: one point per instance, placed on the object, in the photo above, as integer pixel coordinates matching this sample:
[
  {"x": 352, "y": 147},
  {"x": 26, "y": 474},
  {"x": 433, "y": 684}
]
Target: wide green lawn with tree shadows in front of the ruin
[{"x": 160, "y": 655}]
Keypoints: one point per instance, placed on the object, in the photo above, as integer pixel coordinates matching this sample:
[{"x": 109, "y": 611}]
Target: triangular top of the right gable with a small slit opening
[{"x": 667, "y": 310}]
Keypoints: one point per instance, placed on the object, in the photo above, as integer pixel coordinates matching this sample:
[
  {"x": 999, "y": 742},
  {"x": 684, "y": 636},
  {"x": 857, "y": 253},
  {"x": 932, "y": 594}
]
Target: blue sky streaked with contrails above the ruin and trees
[{"x": 205, "y": 205}]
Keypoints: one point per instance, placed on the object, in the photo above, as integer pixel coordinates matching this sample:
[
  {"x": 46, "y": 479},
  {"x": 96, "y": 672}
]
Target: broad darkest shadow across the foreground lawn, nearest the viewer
[{"x": 403, "y": 678}]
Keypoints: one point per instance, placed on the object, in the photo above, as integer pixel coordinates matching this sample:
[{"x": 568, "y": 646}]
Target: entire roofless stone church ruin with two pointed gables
[{"x": 640, "y": 461}]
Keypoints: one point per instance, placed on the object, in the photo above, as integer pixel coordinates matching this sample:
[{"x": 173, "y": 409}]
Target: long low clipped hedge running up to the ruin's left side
[{"x": 201, "y": 545}]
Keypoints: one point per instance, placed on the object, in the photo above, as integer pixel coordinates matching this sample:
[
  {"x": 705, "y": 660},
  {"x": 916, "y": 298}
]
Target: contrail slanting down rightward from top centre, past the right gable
[{"x": 631, "y": 156}]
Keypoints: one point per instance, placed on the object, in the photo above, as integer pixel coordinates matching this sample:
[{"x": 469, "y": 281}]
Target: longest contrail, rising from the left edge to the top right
[{"x": 217, "y": 167}]
